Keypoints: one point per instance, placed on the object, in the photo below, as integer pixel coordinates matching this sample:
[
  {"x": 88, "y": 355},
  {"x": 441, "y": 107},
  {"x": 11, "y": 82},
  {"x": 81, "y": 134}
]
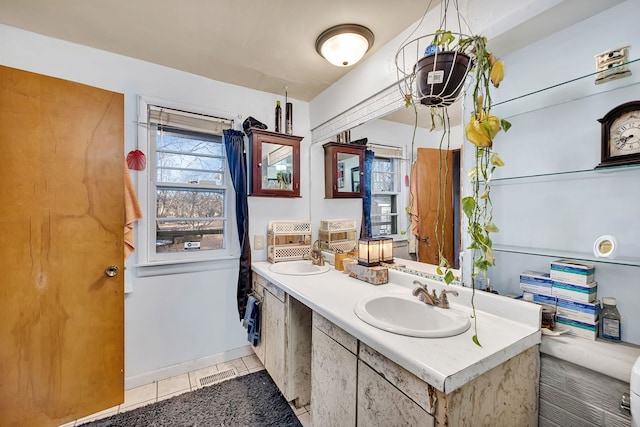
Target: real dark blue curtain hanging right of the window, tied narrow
[{"x": 234, "y": 144}]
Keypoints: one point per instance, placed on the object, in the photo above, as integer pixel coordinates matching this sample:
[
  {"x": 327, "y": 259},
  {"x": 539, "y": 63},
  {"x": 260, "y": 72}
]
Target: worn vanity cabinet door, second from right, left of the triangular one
[{"x": 334, "y": 379}]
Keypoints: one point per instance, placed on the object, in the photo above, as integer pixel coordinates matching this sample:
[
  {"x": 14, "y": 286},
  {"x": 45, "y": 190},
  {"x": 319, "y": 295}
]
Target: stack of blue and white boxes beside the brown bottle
[{"x": 570, "y": 287}]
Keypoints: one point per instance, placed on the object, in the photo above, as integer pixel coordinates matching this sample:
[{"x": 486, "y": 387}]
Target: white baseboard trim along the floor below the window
[{"x": 185, "y": 367}]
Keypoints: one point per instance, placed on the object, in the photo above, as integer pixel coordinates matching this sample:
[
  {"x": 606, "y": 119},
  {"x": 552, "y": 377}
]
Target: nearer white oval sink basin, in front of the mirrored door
[{"x": 406, "y": 315}]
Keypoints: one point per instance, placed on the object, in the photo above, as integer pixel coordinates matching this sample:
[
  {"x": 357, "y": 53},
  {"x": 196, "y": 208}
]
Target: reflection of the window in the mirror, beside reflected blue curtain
[{"x": 385, "y": 190}]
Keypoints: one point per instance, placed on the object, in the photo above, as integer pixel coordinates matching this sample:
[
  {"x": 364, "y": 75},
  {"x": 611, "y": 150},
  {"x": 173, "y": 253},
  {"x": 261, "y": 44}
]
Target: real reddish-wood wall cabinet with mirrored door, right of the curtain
[{"x": 275, "y": 163}]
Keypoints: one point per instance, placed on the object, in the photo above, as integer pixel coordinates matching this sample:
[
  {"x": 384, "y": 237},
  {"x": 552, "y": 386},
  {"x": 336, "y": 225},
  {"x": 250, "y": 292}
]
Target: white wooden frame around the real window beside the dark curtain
[{"x": 147, "y": 193}]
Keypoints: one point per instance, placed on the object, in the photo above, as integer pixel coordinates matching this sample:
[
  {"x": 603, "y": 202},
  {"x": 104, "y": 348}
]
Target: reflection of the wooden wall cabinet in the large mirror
[{"x": 343, "y": 170}]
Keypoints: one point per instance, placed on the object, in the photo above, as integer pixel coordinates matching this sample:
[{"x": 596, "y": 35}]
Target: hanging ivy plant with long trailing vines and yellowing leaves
[{"x": 480, "y": 130}]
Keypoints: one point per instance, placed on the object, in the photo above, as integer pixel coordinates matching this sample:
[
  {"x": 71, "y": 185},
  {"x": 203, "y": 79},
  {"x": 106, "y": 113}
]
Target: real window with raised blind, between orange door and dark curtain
[{"x": 188, "y": 186}]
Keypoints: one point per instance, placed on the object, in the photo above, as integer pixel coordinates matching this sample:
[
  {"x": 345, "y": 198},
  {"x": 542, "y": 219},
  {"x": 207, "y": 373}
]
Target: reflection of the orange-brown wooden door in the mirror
[{"x": 438, "y": 204}]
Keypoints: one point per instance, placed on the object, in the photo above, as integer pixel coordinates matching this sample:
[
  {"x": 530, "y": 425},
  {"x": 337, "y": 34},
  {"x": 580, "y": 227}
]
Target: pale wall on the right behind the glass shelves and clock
[{"x": 557, "y": 131}]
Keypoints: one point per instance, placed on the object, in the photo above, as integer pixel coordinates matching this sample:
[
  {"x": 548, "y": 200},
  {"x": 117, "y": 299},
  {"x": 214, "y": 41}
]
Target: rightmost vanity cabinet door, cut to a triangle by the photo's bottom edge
[{"x": 381, "y": 404}]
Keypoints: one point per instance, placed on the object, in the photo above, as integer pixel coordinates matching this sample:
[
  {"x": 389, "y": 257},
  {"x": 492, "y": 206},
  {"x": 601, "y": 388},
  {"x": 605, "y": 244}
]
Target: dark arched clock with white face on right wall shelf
[{"x": 621, "y": 135}]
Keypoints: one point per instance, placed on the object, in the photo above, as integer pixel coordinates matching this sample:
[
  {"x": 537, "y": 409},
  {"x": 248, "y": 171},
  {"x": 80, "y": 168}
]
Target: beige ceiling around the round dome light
[{"x": 264, "y": 45}]
